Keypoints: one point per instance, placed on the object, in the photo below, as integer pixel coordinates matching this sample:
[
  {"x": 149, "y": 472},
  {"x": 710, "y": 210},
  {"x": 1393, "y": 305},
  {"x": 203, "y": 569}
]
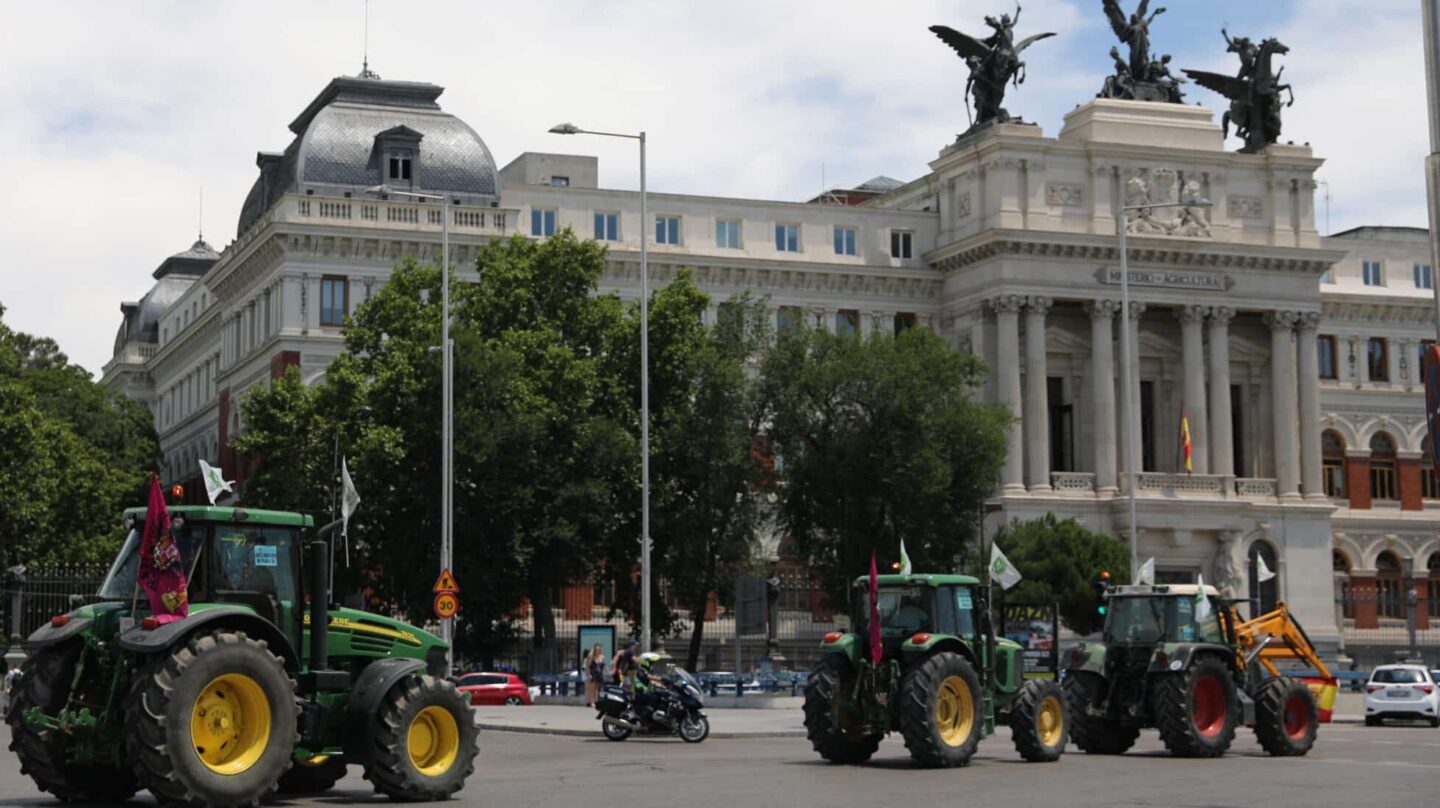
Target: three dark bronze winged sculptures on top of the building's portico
[{"x": 1256, "y": 94}]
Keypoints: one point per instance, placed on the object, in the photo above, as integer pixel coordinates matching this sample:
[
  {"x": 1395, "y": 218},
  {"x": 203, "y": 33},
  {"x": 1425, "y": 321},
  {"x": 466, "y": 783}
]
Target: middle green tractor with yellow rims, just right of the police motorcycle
[{"x": 944, "y": 681}]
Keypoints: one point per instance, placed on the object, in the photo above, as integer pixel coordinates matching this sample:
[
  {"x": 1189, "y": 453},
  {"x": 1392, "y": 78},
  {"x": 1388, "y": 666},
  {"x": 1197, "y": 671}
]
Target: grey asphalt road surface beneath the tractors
[{"x": 1351, "y": 766}]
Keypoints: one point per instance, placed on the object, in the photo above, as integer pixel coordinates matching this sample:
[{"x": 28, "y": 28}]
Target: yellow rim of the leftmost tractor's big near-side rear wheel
[{"x": 230, "y": 724}]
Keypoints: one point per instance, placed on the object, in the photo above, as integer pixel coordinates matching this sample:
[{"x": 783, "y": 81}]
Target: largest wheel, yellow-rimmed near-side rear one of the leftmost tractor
[{"x": 212, "y": 724}]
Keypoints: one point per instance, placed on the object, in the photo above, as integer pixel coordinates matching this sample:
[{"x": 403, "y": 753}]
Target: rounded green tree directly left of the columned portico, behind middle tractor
[{"x": 879, "y": 440}]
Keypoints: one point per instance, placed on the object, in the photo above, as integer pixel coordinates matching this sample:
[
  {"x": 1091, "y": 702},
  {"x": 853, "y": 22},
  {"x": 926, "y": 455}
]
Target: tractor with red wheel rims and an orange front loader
[{"x": 1179, "y": 659}]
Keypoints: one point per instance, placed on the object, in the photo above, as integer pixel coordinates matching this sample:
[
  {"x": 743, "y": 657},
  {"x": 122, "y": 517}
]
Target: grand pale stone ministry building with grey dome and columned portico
[{"x": 1294, "y": 358}]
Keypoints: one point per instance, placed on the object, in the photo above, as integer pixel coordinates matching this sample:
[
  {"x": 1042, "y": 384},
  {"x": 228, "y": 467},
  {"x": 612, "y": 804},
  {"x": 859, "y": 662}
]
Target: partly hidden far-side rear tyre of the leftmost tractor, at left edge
[{"x": 45, "y": 683}]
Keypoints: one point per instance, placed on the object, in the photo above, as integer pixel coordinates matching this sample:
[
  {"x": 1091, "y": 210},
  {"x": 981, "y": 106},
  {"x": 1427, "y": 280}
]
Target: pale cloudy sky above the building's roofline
[{"x": 116, "y": 116}]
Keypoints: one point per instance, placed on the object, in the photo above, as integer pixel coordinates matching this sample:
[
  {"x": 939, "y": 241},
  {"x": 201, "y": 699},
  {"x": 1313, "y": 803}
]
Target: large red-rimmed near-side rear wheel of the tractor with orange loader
[{"x": 1197, "y": 709}]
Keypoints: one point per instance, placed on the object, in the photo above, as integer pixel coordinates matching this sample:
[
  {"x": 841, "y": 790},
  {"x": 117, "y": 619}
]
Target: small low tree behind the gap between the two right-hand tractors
[{"x": 1062, "y": 564}]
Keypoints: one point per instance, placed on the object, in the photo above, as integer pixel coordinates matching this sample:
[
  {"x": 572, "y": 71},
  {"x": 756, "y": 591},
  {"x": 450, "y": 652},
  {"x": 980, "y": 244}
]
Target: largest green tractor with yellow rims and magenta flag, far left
[{"x": 250, "y": 693}]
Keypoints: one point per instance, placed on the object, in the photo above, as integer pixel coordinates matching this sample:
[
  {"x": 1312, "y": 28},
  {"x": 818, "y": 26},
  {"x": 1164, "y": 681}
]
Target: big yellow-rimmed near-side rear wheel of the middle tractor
[{"x": 941, "y": 711}]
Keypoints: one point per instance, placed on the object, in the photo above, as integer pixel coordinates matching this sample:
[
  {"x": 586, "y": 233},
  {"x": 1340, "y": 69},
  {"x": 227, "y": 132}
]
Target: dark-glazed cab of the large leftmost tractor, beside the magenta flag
[{"x": 248, "y": 558}]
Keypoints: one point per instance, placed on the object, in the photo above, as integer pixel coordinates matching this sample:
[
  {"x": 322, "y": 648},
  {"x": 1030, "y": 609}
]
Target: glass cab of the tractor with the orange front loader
[{"x": 1154, "y": 616}]
